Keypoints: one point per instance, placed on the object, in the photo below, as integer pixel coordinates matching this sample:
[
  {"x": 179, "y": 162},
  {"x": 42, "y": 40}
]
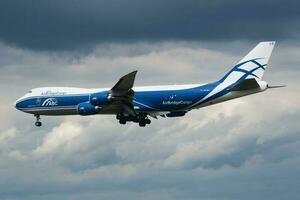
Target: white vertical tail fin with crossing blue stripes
[{"x": 252, "y": 65}]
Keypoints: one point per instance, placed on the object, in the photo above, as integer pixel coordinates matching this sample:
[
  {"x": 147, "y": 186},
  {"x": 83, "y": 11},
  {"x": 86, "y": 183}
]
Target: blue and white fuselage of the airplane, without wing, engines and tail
[{"x": 163, "y": 99}]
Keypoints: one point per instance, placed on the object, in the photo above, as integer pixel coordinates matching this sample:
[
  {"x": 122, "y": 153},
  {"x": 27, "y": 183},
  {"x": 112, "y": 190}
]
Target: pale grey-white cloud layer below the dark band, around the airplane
[{"x": 242, "y": 149}]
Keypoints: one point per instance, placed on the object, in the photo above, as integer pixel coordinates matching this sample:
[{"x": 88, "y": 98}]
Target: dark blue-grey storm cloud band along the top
[{"x": 69, "y": 24}]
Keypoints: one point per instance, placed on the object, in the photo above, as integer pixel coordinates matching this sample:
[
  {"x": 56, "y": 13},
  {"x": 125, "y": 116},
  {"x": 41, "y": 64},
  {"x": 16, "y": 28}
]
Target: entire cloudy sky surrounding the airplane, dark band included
[{"x": 247, "y": 148}]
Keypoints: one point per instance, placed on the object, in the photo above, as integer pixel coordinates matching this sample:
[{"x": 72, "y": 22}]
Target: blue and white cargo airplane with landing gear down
[{"x": 138, "y": 104}]
